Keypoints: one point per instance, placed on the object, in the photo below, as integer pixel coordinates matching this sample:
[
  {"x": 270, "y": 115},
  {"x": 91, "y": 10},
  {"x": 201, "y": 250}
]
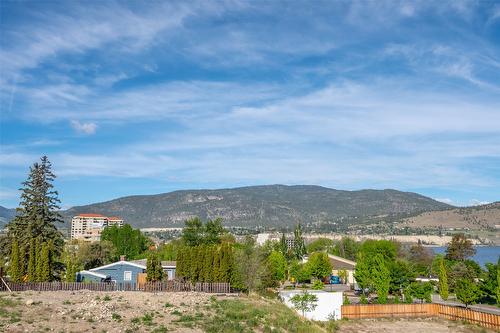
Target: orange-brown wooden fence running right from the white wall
[{"x": 488, "y": 320}]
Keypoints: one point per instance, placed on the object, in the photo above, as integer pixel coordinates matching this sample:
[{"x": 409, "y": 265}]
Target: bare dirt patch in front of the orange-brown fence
[{"x": 407, "y": 325}]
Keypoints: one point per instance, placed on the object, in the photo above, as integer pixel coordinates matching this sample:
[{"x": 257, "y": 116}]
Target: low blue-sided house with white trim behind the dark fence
[{"x": 123, "y": 271}]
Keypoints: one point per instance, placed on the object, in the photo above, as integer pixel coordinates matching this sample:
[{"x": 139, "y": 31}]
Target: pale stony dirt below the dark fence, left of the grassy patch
[{"x": 85, "y": 311}]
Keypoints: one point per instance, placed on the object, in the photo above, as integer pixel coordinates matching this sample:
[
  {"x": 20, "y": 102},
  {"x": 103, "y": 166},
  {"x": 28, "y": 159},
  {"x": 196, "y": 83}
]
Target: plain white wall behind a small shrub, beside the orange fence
[{"x": 328, "y": 306}]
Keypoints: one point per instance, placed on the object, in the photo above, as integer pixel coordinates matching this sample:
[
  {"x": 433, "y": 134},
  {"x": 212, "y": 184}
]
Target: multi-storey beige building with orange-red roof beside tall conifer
[{"x": 88, "y": 227}]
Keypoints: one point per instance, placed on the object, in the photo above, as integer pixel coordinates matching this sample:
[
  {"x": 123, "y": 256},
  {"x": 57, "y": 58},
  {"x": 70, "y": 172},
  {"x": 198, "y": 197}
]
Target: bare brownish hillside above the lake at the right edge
[{"x": 474, "y": 218}]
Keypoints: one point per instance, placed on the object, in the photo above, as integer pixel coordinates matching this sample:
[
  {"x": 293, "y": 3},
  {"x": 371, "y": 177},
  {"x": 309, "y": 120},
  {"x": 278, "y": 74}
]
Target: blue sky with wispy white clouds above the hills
[{"x": 148, "y": 97}]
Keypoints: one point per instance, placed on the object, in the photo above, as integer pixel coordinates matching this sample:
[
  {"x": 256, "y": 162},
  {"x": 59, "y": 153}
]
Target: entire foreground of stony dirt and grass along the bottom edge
[{"x": 86, "y": 311}]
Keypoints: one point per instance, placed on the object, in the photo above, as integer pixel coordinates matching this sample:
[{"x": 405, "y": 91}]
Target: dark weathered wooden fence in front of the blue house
[{"x": 167, "y": 286}]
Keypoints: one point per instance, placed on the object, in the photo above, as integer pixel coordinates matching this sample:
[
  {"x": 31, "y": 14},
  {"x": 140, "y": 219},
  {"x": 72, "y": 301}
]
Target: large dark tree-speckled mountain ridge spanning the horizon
[{"x": 268, "y": 206}]
